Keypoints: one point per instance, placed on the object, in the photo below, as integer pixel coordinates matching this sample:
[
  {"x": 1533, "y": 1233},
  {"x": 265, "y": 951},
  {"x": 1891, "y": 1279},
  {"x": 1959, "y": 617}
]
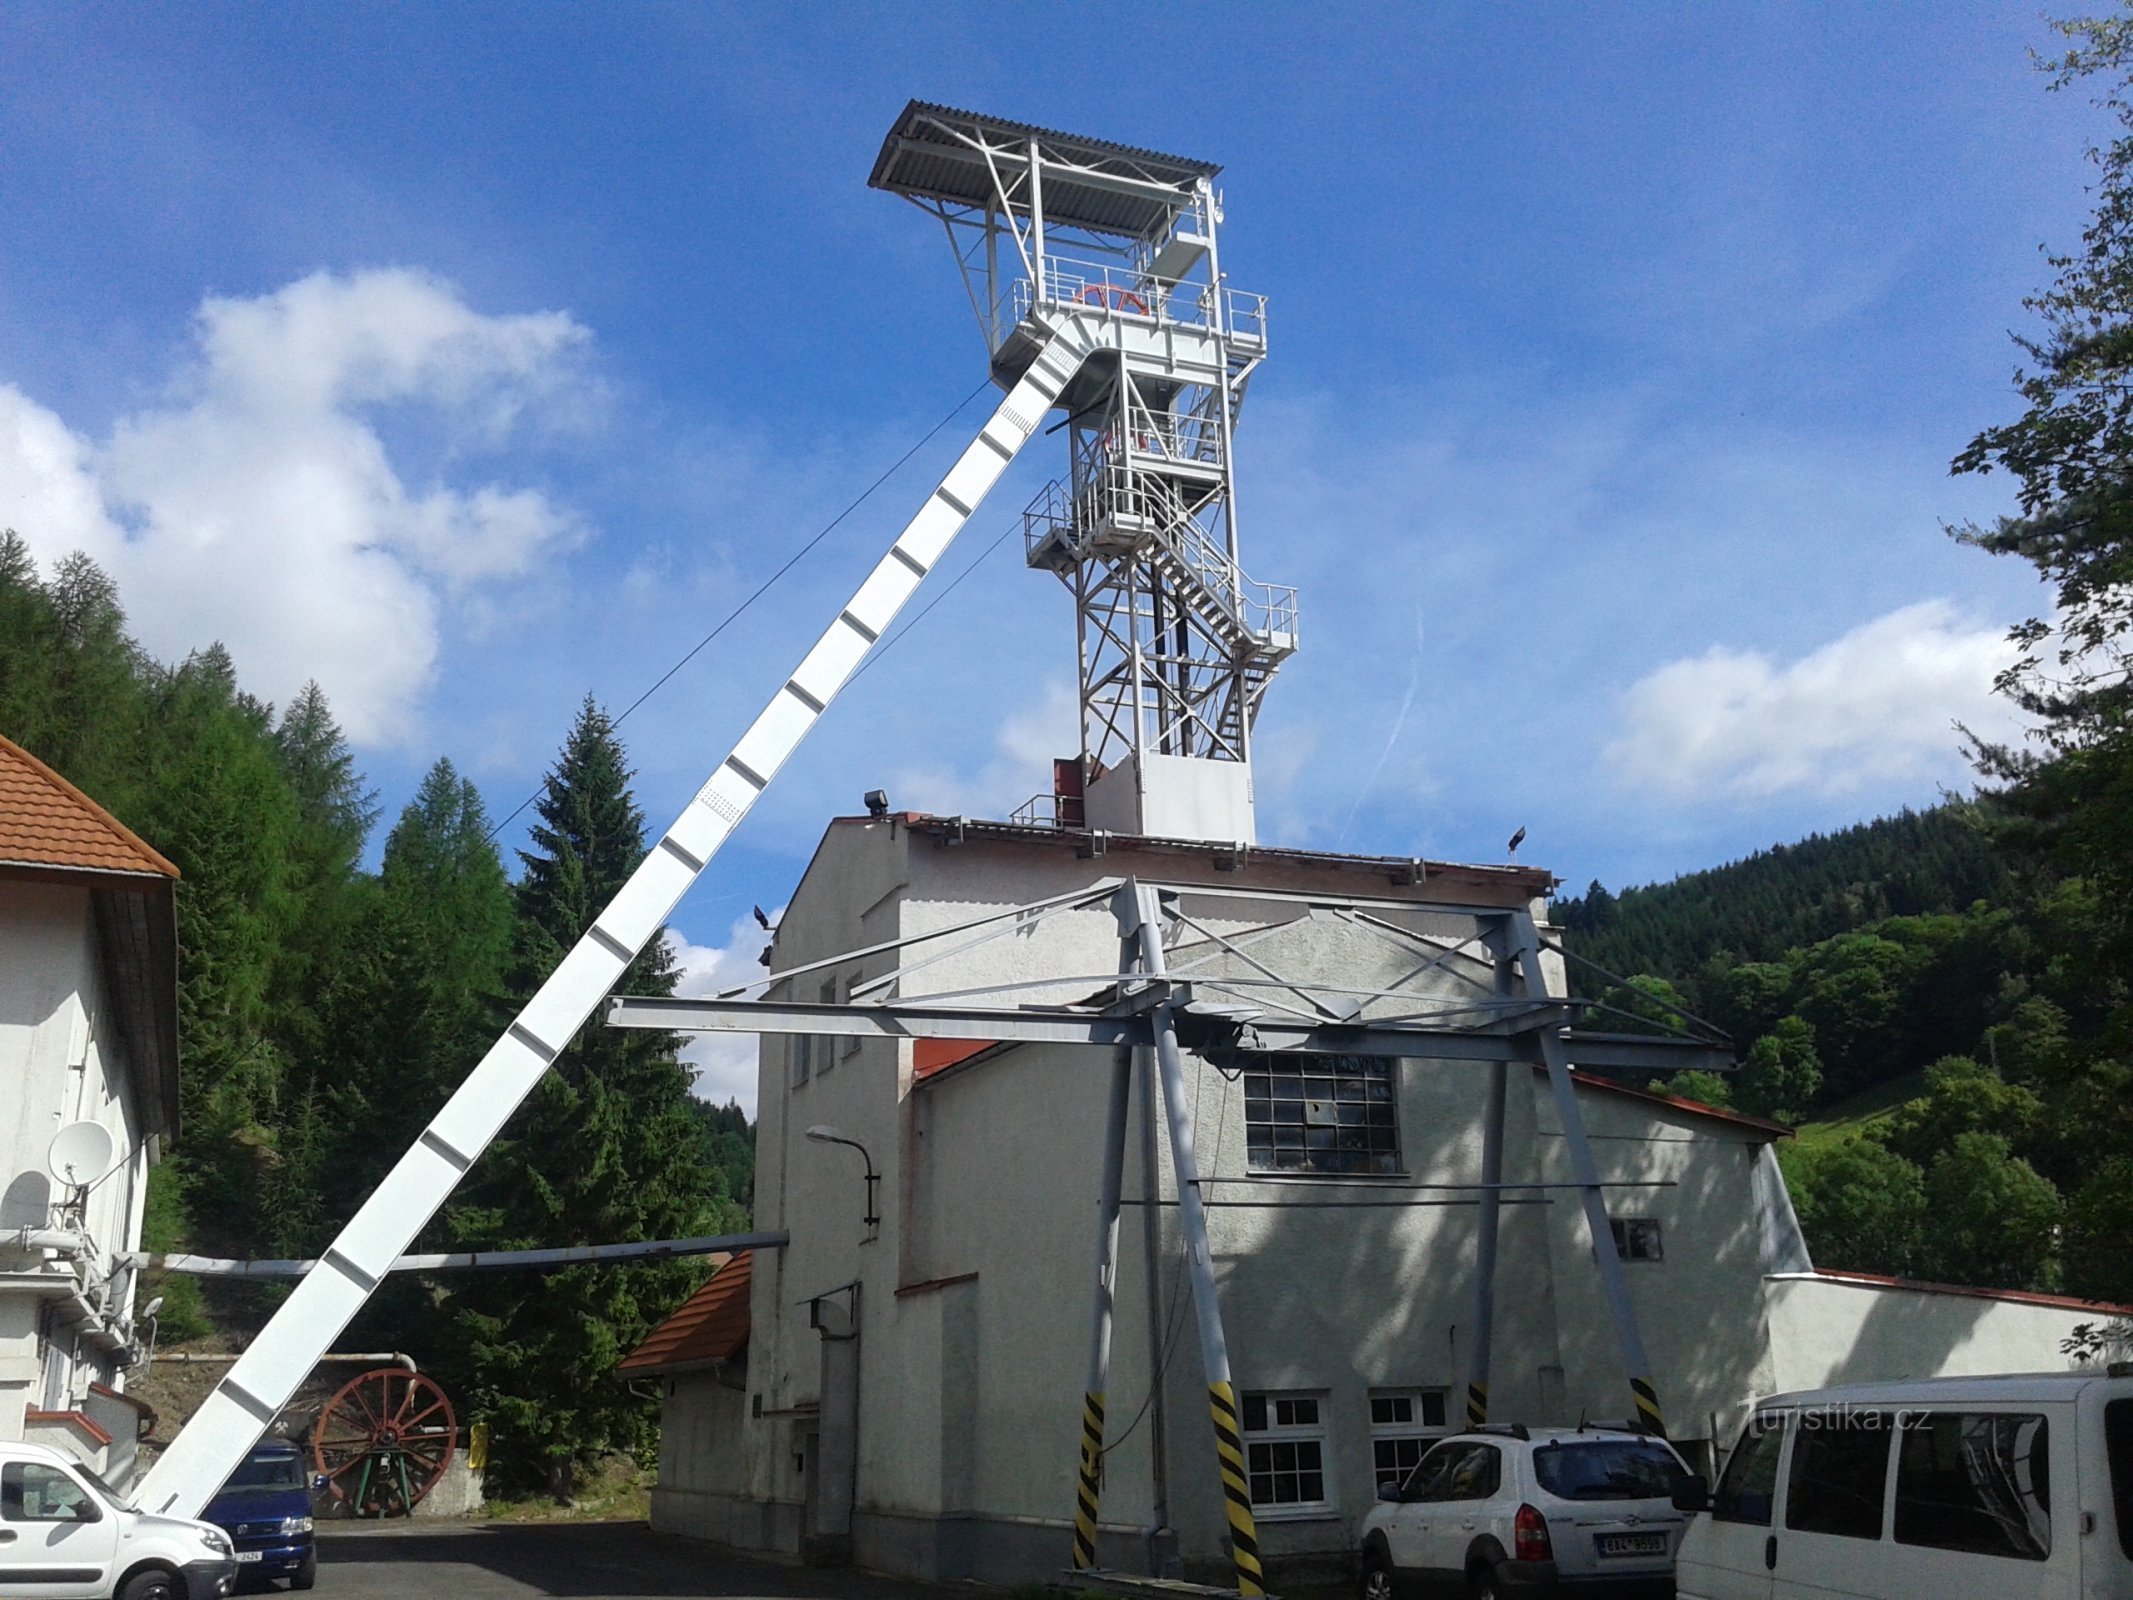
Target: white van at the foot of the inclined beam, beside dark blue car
[{"x": 65, "y": 1535}]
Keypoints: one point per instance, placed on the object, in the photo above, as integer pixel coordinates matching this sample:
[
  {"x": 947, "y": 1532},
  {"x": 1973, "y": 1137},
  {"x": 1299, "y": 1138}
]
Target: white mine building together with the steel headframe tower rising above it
[{"x": 1014, "y": 1074}]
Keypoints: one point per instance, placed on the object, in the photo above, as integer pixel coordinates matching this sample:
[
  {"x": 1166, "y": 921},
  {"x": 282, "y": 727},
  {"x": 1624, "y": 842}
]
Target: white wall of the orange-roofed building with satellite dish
[{"x": 61, "y": 1063}]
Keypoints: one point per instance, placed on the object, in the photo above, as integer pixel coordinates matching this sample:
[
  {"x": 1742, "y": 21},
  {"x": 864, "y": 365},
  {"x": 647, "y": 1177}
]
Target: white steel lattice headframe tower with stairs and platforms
[{"x": 1176, "y": 643}]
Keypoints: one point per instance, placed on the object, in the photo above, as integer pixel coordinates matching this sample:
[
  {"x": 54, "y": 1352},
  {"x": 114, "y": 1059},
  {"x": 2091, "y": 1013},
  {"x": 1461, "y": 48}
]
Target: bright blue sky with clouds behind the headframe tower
[{"x": 477, "y": 359}]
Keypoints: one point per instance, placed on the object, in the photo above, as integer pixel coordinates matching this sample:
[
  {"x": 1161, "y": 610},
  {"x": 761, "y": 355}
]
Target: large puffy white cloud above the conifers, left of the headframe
[{"x": 259, "y": 505}]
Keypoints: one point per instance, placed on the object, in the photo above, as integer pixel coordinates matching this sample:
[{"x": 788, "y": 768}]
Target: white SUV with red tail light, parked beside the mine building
[{"x": 1511, "y": 1511}]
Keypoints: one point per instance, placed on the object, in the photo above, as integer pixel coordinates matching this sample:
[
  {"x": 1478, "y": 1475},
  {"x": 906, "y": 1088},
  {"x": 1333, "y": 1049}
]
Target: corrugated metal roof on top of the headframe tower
[{"x": 937, "y": 153}]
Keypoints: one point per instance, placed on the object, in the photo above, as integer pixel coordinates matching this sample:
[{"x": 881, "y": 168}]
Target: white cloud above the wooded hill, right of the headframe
[{"x": 1870, "y": 709}]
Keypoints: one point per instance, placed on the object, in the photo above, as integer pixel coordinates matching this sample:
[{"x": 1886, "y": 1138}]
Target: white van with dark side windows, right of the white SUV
[{"x": 1934, "y": 1490}]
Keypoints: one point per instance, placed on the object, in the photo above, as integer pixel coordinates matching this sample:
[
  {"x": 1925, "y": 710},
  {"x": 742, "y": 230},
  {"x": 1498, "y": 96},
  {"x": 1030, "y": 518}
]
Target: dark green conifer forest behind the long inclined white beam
[{"x": 325, "y": 1012}]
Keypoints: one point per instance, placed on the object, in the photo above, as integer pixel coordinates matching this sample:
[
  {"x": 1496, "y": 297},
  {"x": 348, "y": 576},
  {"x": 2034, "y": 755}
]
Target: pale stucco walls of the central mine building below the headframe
[{"x": 976, "y": 1296}]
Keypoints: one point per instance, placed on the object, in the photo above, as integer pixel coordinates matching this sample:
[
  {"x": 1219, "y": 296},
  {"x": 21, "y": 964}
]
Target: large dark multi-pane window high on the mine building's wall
[{"x": 1321, "y": 1115}]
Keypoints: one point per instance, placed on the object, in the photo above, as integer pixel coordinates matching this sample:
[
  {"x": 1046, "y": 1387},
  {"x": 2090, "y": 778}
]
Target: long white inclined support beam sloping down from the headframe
[{"x": 240, "y": 1409}]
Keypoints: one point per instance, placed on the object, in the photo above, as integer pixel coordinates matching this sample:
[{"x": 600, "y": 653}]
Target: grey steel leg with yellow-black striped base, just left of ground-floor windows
[{"x": 1146, "y": 912}]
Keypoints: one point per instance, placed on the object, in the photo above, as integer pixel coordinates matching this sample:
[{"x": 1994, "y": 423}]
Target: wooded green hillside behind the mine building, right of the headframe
[{"x": 1925, "y": 955}]
